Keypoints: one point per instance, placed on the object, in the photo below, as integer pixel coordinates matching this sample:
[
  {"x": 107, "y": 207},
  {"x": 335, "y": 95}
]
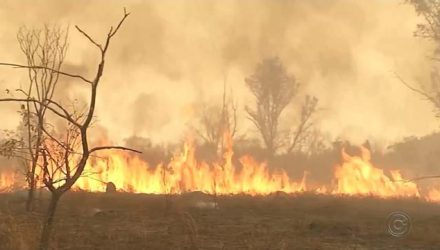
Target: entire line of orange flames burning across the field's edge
[{"x": 356, "y": 175}]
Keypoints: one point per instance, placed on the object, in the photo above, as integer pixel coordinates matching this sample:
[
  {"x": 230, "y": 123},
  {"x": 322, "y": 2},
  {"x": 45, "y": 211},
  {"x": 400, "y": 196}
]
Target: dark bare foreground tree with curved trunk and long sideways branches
[{"x": 64, "y": 155}]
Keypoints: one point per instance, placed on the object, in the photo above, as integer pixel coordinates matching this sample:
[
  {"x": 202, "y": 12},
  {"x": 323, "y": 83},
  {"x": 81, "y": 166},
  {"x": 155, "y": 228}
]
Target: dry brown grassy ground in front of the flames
[{"x": 136, "y": 221}]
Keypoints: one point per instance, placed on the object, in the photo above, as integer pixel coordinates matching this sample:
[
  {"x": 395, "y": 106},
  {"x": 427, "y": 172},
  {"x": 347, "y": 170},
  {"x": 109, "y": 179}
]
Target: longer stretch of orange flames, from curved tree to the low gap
[{"x": 184, "y": 173}]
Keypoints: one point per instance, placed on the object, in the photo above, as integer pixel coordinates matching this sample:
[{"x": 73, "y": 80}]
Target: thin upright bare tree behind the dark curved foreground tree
[{"x": 45, "y": 48}]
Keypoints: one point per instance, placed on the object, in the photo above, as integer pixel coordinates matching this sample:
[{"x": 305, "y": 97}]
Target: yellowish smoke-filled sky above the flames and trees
[{"x": 171, "y": 57}]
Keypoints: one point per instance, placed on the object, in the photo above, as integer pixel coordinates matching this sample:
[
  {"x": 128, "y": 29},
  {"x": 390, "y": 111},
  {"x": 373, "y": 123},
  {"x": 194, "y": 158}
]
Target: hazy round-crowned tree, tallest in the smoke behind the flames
[{"x": 273, "y": 89}]
